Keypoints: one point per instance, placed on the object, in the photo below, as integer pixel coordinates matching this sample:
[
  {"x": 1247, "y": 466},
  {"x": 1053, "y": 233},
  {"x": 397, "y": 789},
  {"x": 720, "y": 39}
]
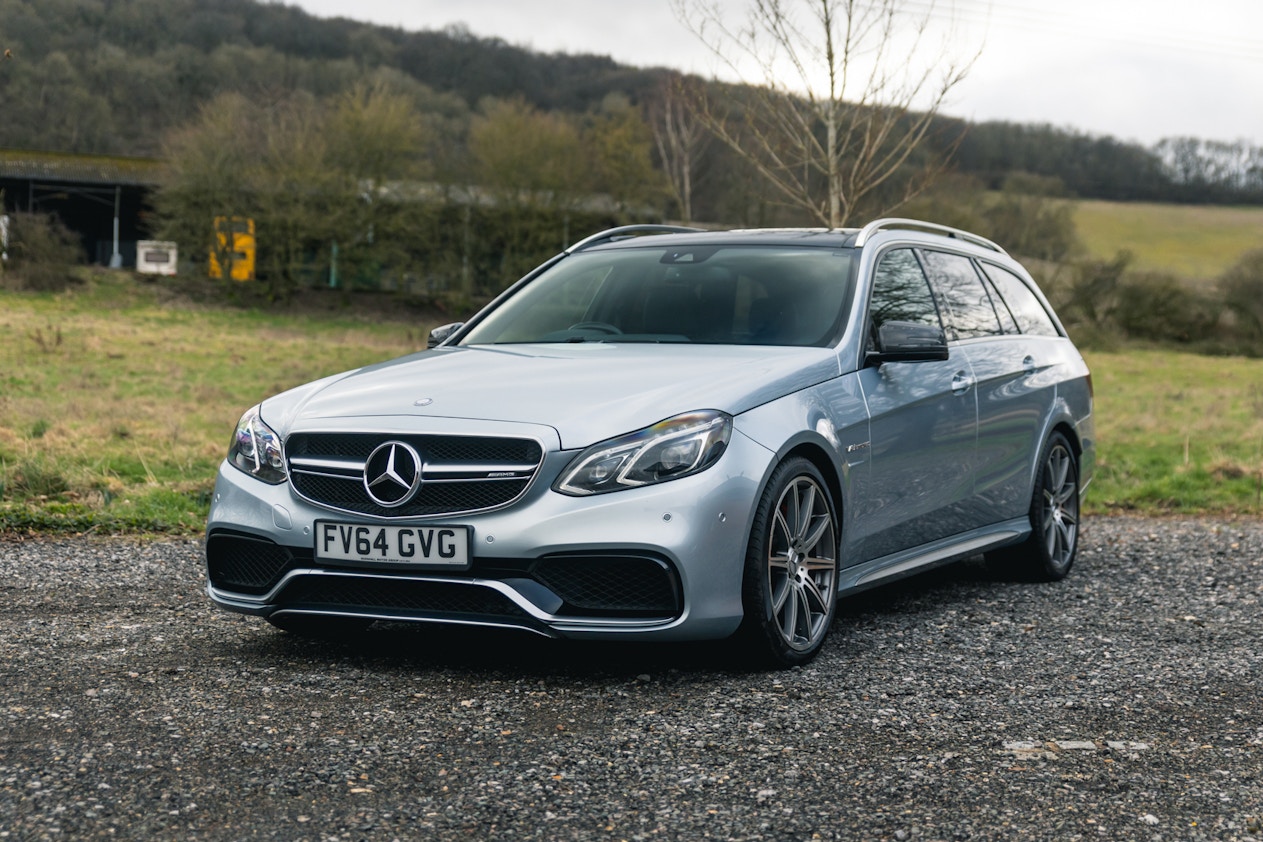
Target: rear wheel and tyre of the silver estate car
[{"x": 1050, "y": 552}]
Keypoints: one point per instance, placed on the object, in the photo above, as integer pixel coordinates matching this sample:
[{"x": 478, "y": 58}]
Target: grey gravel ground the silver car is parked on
[{"x": 1121, "y": 704}]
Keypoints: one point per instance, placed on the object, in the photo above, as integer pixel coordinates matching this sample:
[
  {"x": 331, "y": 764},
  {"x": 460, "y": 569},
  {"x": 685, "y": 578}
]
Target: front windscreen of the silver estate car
[{"x": 709, "y": 295}]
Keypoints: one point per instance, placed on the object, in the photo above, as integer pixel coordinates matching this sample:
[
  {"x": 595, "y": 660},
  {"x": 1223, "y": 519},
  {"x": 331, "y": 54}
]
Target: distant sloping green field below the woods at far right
[{"x": 1187, "y": 240}]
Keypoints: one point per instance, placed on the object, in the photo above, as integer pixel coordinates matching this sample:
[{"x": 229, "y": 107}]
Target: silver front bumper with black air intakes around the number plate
[{"x": 661, "y": 562}]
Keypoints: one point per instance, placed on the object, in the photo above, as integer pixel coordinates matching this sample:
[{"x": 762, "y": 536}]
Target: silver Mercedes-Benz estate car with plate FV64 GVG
[{"x": 667, "y": 435}]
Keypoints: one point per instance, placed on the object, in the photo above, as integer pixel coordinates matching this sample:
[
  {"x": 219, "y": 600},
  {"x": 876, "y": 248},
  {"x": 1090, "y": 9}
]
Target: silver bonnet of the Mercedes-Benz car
[{"x": 587, "y": 392}]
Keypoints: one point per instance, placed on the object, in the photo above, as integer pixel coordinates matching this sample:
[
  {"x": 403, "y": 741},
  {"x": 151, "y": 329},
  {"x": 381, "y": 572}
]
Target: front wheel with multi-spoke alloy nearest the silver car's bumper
[{"x": 790, "y": 591}]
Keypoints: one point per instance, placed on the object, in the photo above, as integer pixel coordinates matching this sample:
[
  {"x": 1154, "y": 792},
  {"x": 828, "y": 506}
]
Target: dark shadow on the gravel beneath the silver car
[{"x": 424, "y": 648}]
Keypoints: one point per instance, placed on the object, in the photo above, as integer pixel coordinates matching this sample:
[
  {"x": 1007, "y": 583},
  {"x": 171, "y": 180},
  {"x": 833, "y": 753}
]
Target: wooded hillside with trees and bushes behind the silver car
[{"x": 444, "y": 166}]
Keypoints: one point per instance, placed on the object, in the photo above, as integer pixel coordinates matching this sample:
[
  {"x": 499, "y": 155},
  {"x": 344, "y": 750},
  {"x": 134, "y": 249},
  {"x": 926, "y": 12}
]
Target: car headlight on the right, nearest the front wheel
[{"x": 670, "y": 450}]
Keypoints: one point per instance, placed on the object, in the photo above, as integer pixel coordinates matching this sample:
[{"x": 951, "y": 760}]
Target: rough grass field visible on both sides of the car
[{"x": 117, "y": 403}]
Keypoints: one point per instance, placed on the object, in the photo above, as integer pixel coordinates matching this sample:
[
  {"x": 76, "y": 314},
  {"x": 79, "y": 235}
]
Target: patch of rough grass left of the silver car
[{"x": 117, "y": 402}]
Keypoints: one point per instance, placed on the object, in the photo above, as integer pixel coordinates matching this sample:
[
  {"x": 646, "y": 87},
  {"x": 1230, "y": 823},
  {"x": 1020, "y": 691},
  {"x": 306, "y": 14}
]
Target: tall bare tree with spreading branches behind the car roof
[{"x": 839, "y": 98}]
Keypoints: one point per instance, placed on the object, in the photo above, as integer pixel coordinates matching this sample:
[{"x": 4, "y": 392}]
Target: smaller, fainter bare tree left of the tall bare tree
[{"x": 680, "y": 138}]
